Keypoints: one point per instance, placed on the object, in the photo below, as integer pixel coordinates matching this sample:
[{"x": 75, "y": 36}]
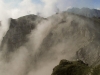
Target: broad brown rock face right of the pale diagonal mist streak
[{"x": 73, "y": 37}]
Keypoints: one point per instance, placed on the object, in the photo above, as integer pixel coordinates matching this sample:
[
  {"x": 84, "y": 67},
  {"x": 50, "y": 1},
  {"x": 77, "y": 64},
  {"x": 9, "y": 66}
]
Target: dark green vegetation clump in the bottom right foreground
[{"x": 75, "y": 68}]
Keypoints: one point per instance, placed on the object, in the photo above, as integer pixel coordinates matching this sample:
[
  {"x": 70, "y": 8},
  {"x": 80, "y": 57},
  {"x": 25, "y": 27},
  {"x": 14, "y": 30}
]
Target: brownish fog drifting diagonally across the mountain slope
[{"x": 57, "y": 37}]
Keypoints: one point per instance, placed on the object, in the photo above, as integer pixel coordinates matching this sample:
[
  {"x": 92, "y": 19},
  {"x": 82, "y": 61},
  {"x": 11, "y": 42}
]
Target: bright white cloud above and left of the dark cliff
[{"x": 15, "y": 9}]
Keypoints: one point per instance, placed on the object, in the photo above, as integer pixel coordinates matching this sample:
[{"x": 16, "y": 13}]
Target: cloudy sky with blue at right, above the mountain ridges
[{"x": 17, "y": 8}]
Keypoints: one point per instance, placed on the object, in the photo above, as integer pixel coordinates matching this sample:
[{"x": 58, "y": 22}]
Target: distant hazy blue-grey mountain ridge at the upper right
[{"x": 85, "y": 12}]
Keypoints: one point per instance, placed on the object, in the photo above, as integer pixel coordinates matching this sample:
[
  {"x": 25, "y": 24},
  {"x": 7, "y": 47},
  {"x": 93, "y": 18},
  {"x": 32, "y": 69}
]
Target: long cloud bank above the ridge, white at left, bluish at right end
[{"x": 46, "y": 8}]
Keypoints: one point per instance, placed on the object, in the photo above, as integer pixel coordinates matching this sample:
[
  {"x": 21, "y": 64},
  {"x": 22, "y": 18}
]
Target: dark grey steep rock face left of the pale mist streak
[{"x": 18, "y": 31}]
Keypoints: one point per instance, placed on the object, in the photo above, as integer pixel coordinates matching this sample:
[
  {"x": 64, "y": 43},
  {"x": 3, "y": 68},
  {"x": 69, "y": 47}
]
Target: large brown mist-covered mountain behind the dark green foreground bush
[{"x": 34, "y": 45}]
